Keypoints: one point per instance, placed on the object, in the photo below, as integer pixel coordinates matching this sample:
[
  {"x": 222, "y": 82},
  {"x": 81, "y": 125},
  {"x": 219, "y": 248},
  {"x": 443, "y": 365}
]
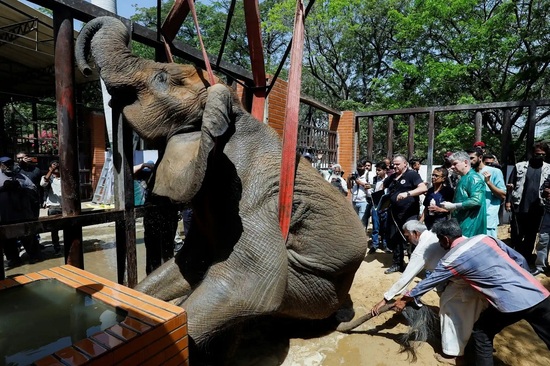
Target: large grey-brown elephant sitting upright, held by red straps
[{"x": 234, "y": 265}]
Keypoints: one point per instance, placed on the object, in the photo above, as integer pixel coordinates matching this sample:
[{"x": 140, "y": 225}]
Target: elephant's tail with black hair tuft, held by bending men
[{"x": 423, "y": 326}]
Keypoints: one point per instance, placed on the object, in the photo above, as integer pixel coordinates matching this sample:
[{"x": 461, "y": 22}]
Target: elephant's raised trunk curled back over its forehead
[{"x": 106, "y": 33}]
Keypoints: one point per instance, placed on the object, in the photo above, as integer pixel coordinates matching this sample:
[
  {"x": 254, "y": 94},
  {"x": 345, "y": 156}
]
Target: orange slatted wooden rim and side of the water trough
[{"x": 153, "y": 332}]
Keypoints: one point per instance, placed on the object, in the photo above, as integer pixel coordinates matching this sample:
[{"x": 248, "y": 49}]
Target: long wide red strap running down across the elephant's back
[{"x": 290, "y": 132}]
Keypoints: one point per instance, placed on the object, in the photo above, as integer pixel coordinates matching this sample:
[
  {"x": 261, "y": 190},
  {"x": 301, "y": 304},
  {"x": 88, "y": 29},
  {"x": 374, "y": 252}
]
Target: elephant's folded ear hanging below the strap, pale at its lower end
[{"x": 181, "y": 171}]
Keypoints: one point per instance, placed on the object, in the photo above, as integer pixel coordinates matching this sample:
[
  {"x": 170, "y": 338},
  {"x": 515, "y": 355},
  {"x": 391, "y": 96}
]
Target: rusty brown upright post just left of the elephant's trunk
[{"x": 68, "y": 134}]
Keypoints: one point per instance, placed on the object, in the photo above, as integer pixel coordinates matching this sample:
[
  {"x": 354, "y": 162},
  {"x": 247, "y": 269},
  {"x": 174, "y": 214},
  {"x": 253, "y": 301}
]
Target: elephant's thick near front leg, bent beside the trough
[{"x": 246, "y": 285}]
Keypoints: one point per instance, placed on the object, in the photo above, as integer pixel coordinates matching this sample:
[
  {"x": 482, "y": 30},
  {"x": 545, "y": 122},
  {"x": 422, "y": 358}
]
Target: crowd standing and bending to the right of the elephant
[{"x": 484, "y": 284}]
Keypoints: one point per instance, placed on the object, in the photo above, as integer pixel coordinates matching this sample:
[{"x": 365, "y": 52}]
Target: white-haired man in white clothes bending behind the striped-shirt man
[{"x": 459, "y": 304}]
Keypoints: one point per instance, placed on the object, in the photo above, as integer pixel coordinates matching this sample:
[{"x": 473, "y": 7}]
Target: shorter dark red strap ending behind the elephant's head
[{"x": 255, "y": 48}]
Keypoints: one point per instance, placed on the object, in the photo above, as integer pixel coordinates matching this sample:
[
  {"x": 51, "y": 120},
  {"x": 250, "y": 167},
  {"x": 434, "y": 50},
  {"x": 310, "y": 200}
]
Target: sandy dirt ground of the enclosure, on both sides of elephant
[{"x": 372, "y": 344}]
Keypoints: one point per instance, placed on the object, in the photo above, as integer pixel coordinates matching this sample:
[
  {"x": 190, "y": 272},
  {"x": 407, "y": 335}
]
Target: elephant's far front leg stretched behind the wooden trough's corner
[{"x": 165, "y": 283}]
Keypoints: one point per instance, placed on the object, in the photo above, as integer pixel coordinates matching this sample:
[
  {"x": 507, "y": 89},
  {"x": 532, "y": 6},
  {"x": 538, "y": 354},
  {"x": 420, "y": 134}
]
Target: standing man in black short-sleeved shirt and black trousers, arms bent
[{"x": 404, "y": 186}]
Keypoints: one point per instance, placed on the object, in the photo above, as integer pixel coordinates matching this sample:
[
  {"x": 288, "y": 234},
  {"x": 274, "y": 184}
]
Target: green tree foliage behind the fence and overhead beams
[{"x": 382, "y": 55}]
